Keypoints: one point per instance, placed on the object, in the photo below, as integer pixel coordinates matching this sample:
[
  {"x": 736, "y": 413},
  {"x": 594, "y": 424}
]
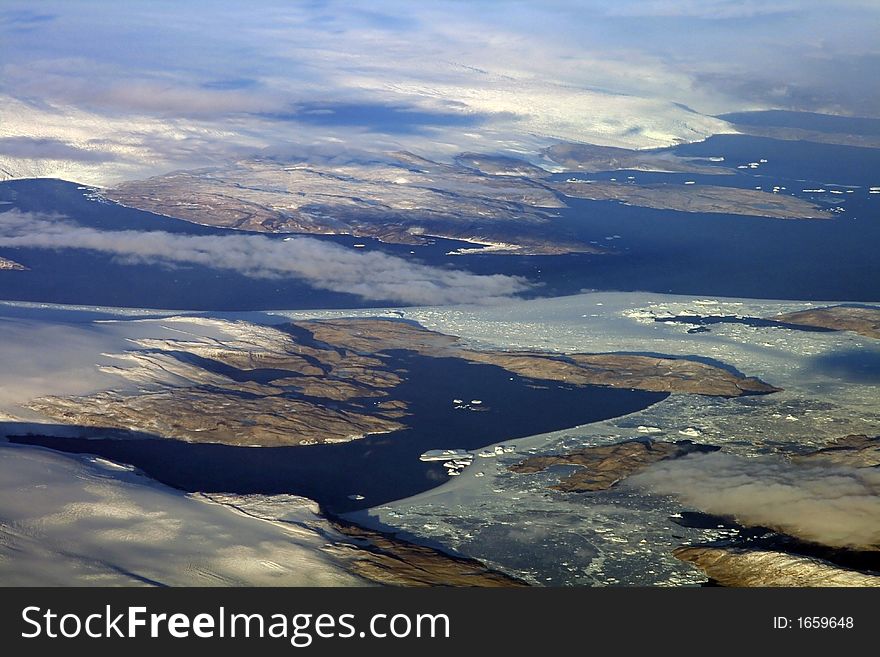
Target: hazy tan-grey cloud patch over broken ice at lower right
[{"x": 835, "y": 506}]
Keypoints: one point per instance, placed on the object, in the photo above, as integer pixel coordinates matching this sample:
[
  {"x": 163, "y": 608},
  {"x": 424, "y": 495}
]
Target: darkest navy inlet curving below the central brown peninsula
[{"x": 383, "y": 467}]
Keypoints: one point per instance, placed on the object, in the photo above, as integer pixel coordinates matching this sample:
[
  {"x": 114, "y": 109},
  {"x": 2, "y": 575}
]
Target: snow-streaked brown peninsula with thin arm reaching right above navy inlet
[{"x": 326, "y": 381}]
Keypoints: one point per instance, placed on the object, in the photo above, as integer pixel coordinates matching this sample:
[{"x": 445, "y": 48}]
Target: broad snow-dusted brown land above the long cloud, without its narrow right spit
[{"x": 400, "y": 198}]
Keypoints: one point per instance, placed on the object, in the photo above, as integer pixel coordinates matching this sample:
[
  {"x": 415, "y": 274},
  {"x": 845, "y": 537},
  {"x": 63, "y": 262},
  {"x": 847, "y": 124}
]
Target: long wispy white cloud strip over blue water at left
[{"x": 371, "y": 275}]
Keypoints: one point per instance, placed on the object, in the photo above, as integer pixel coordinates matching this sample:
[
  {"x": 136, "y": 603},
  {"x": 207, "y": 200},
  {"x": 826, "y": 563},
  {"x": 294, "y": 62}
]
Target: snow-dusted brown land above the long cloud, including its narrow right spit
[{"x": 503, "y": 203}]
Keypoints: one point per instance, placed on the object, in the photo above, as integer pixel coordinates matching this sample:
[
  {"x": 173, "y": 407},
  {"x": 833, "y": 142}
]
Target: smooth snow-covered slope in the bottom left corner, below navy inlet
[{"x": 67, "y": 521}]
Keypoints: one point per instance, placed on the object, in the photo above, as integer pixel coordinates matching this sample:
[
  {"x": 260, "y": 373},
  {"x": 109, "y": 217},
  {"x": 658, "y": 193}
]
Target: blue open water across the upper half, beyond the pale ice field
[{"x": 658, "y": 250}]
